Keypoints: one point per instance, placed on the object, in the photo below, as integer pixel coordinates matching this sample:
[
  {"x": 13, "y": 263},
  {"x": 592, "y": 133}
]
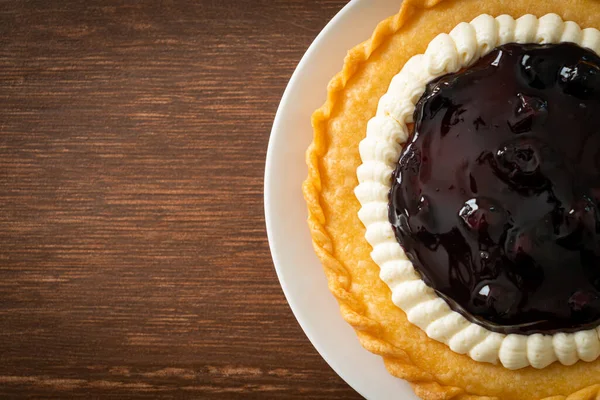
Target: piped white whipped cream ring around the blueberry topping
[{"x": 387, "y": 132}]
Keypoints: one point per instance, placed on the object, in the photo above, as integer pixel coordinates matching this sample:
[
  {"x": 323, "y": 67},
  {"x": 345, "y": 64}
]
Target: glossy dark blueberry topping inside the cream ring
[{"x": 496, "y": 198}]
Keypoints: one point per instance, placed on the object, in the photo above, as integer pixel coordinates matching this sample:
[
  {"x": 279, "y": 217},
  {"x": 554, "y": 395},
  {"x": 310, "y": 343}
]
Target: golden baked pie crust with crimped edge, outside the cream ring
[{"x": 435, "y": 372}]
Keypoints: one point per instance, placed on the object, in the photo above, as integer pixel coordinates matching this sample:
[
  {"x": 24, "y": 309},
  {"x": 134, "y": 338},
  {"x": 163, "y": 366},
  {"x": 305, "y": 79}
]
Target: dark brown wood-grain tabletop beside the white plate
[{"x": 134, "y": 261}]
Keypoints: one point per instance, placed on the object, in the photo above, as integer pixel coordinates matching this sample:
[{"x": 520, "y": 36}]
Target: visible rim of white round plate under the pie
[{"x": 299, "y": 271}]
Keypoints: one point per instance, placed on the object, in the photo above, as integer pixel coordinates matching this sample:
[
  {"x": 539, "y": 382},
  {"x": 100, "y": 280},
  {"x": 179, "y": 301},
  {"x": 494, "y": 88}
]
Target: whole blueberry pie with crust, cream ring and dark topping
[{"x": 454, "y": 197}]
